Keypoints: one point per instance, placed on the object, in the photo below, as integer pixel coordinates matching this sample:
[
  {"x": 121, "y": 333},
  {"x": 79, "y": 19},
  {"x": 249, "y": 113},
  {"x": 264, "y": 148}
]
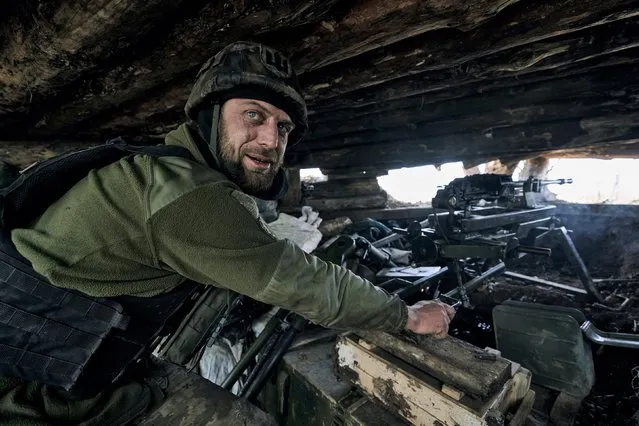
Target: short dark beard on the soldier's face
[{"x": 251, "y": 182}]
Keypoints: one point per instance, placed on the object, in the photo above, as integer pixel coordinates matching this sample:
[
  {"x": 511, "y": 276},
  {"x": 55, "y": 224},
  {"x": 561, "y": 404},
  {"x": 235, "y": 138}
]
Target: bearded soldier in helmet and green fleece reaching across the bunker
[{"x": 144, "y": 224}]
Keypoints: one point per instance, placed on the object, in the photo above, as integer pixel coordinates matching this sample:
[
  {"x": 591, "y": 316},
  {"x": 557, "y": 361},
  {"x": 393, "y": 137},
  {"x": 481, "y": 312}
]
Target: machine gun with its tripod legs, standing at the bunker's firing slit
[{"x": 491, "y": 218}]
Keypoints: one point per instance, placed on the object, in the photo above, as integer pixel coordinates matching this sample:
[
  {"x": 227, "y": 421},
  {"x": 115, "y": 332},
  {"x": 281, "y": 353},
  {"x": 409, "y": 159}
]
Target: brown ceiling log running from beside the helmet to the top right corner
[{"x": 519, "y": 39}]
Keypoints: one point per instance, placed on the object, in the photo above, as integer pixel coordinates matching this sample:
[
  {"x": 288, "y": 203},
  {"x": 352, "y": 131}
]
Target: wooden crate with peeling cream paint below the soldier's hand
[{"x": 420, "y": 398}]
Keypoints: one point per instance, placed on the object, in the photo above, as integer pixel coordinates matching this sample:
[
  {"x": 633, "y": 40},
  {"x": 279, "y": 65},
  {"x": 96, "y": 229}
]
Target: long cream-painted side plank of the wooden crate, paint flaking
[{"x": 415, "y": 396}]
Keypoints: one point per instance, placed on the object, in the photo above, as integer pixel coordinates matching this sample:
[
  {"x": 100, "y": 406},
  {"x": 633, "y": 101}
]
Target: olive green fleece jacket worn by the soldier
[{"x": 142, "y": 225}]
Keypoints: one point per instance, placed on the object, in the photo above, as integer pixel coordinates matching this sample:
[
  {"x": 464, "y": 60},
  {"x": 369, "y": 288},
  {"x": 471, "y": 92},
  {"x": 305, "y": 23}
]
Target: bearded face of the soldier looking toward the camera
[{"x": 252, "y": 140}]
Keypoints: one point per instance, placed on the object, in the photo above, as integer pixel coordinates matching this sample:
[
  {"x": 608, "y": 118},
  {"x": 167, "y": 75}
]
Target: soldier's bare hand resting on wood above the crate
[{"x": 430, "y": 317}]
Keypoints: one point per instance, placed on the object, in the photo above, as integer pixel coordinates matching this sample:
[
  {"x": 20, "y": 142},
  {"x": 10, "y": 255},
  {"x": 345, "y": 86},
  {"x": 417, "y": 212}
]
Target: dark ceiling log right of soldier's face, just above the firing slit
[{"x": 499, "y": 108}]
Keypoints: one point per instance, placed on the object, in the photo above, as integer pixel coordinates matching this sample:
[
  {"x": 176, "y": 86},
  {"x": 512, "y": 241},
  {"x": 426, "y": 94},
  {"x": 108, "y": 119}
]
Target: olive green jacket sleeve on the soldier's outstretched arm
[{"x": 213, "y": 235}]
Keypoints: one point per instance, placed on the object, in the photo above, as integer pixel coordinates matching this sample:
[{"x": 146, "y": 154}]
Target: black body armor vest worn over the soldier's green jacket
[{"x": 60, "y": 337}]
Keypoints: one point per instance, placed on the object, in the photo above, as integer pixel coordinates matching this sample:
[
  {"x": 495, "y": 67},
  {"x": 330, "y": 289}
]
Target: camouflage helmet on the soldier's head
[{"x": 245, "y": 65}]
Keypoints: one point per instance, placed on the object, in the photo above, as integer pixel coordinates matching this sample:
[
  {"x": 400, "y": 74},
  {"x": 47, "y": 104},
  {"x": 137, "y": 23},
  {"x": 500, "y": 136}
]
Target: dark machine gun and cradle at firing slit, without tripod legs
[{"x": 487, "y": 216}]
